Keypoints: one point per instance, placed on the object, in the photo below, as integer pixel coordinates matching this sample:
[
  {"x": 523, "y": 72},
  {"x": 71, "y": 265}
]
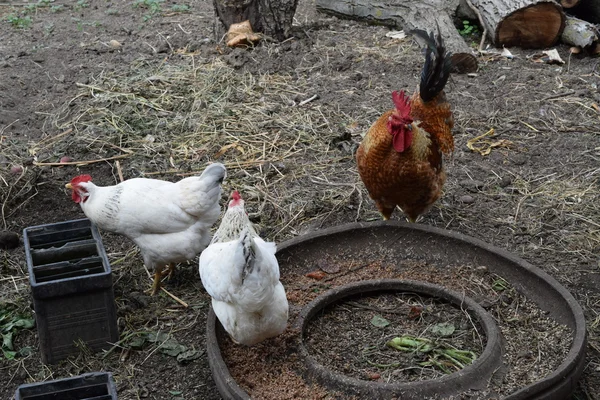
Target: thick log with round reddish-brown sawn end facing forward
[{"x": 523, "y": 23}]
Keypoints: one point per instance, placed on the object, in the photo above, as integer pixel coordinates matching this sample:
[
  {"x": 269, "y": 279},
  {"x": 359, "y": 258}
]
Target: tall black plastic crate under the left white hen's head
[{"x": 71, "y": 285}]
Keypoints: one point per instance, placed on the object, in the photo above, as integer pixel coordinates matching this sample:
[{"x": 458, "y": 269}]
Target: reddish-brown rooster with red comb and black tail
[{"x": 400, "y": 157}]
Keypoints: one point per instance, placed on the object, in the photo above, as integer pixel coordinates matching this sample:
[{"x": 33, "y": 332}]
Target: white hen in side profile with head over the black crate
[{"x": 169, "y": 222}]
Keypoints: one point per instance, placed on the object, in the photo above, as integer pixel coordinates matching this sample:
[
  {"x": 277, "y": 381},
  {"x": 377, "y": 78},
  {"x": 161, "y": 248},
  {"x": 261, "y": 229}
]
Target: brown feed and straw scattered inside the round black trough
[{"x": 272, "y": 370}]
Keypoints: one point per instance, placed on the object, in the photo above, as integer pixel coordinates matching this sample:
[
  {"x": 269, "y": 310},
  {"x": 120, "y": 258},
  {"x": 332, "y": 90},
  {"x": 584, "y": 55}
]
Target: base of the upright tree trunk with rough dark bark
[{"x": 271, "y": 17}]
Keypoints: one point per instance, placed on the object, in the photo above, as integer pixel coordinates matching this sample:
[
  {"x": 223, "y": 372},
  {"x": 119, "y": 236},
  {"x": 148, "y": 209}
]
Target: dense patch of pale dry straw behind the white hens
[{"x": 169, "y": 121}]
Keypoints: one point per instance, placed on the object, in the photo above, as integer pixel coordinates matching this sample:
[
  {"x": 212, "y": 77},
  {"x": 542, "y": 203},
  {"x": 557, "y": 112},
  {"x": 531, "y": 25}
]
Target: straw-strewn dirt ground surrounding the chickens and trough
[{"x": 147, "y": 88}]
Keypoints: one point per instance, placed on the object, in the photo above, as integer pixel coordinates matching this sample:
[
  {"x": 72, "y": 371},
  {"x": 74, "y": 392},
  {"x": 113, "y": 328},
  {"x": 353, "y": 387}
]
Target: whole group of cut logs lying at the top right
[{"x": 529, "y": 24}]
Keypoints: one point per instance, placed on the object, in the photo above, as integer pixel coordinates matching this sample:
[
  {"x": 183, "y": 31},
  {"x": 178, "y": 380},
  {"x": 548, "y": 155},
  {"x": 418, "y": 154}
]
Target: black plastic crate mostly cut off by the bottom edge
[{"x": 92, "y": 386}]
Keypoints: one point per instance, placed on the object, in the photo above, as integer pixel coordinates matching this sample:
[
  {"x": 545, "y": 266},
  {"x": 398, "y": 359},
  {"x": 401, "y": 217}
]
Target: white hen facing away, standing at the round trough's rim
[{"x": 240, "y": 272}]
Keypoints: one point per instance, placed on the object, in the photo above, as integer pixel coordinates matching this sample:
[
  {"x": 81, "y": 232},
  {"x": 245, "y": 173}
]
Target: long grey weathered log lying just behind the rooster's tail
[{"x": 408, "y": 15}]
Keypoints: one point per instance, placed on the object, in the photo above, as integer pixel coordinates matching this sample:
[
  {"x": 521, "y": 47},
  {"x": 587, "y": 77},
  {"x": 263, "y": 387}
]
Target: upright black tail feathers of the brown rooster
[{"x": 437, "y": 67}]
